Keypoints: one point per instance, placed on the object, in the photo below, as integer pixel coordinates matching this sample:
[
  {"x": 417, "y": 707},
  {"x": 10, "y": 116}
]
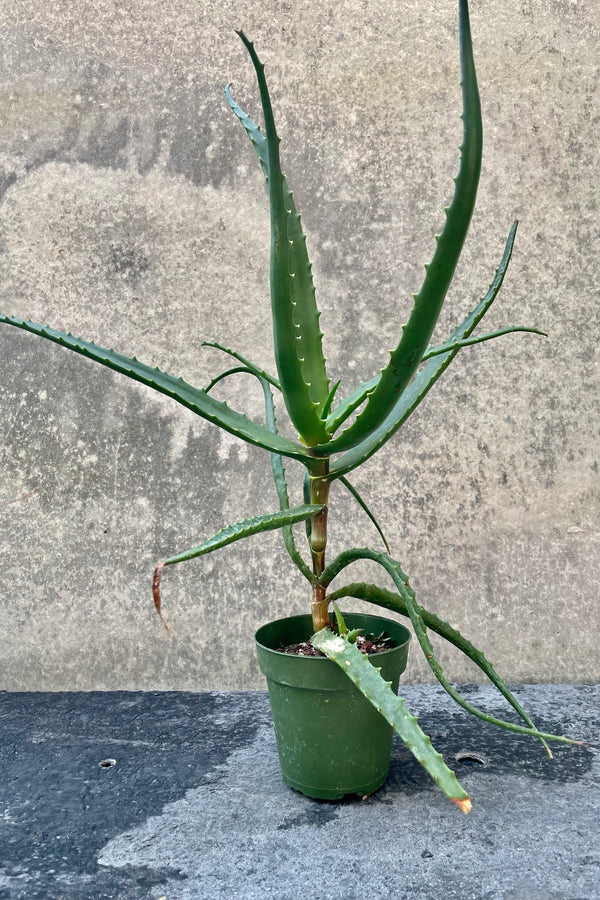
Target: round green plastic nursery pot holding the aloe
[{"x": 331, "y": 741}]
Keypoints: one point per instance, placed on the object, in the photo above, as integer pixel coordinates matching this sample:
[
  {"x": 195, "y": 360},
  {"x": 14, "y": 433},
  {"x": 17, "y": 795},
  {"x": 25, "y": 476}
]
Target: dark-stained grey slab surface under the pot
[{"x": 194, "y": 806}]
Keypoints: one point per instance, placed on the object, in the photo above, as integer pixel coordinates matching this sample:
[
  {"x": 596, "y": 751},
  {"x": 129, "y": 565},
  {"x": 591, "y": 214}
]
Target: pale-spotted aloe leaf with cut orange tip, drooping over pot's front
[{"x": 357, "y": 666}]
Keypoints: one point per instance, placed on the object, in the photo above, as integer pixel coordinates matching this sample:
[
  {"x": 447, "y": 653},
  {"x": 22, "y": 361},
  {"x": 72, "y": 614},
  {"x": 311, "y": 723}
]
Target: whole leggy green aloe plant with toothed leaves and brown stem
[{"x": 327, "y": 447}]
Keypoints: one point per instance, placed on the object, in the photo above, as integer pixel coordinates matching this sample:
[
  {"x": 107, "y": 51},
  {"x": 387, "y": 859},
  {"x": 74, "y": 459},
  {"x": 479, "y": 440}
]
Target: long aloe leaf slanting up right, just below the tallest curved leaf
[{"x": 427, "y": 377}]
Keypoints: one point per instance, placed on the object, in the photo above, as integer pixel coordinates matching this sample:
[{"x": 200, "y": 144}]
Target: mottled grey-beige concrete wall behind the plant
[{"x": 134, "y": 214}]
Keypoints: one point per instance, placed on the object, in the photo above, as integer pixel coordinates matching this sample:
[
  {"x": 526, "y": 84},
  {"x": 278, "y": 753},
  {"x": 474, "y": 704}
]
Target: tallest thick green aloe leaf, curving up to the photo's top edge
[{"x": 405, "y": 359}]
